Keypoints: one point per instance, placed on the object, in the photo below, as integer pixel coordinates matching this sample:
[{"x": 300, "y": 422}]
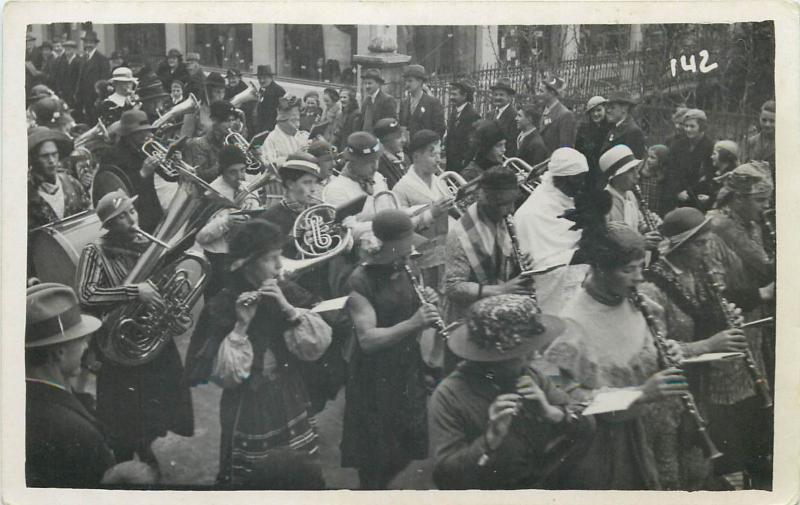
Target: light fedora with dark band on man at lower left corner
[{"x": 53, "y": 316}]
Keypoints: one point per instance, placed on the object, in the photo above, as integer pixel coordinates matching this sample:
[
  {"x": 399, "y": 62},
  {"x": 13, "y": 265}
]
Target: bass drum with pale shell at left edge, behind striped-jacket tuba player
[{"x": 56, "y": 248}]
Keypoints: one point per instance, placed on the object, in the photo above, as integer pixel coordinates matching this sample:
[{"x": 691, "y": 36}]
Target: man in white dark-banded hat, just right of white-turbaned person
[{"x": 621, "y": 169}]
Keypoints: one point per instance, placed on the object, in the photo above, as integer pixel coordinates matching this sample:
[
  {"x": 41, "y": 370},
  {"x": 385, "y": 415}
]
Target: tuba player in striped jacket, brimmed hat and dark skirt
[{"x": 137, "y": 403}]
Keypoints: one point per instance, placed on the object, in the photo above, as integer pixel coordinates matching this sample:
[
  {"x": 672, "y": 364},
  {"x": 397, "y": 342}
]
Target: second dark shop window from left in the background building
[{"x": 223, "y": 46}]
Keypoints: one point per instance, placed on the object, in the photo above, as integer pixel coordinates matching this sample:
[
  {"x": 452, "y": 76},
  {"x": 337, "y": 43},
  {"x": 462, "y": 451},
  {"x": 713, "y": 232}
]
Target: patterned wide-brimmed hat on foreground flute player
[{"x": 503, "y": 327}]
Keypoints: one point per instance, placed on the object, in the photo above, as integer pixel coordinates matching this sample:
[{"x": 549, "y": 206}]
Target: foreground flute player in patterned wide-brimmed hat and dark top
[{"x": 498, "y": 422}]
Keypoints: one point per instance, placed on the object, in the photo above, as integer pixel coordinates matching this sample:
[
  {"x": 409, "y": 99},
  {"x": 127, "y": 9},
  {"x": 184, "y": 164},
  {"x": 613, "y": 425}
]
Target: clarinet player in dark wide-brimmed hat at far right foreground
[{"x": 682, "y": 282}]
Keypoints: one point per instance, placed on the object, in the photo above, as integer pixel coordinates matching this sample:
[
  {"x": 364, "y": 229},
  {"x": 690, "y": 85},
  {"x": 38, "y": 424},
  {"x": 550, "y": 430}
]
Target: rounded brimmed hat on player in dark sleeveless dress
[{"x": 395, "y": 230}]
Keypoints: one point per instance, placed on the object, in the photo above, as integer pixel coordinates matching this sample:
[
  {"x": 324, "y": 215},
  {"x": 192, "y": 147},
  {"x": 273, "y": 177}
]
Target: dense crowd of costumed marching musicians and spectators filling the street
[{"x": 491, "y": 313}]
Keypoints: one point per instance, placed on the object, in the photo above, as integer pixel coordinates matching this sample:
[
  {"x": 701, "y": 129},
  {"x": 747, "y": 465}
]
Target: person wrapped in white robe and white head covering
[{"x": 542, "y": 232}]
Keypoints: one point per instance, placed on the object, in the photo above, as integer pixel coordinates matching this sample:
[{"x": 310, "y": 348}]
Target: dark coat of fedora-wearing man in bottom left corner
[{"x": 64, "y": 444}]
